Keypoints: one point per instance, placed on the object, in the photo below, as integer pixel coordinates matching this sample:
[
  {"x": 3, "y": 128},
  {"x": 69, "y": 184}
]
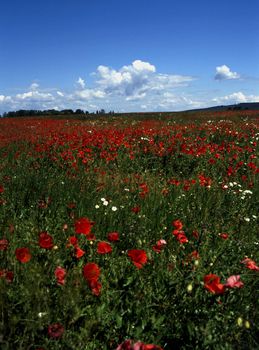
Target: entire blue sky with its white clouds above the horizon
[{"x": 126, "y": 55}]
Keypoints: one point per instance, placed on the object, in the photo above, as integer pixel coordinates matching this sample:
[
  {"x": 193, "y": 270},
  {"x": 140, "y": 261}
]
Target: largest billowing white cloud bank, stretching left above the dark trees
[{"x": 128, "y": 87}]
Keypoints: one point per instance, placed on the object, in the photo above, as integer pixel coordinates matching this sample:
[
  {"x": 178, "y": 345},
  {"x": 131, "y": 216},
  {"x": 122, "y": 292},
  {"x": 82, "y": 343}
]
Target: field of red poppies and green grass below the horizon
[{"x": 130, "y": 233}]
